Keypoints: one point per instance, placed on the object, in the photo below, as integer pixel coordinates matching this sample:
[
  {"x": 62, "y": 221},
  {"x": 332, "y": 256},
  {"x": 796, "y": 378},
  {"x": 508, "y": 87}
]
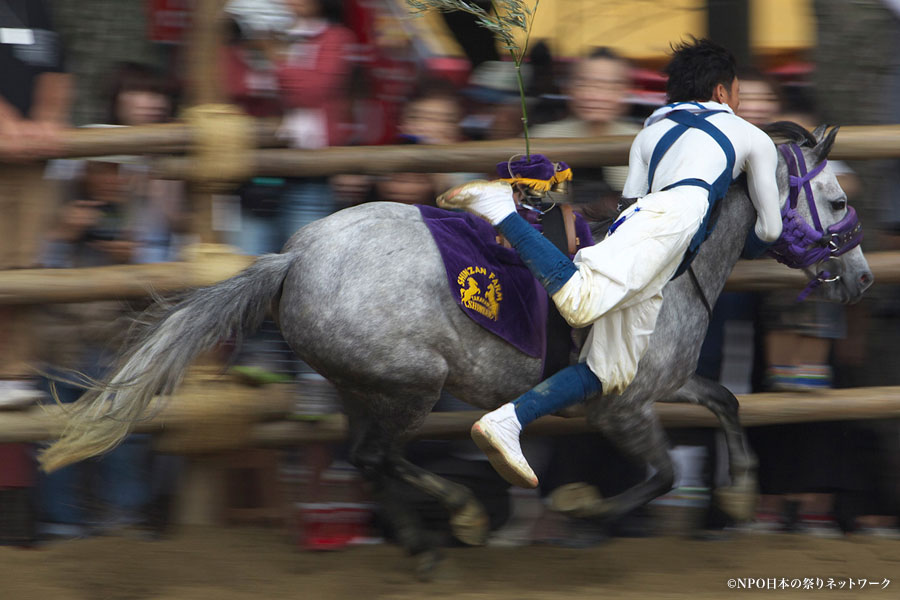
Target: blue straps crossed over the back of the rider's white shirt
[{"x": 687, "y": 120}]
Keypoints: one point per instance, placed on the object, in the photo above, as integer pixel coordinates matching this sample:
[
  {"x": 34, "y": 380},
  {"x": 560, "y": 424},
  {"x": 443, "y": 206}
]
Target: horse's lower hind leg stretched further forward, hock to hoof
[{"x": 468, "y": 519}]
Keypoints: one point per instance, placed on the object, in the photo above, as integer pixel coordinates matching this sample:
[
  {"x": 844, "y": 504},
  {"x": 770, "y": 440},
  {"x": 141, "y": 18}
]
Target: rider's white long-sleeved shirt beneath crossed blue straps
[{"x": 697, "y": 155}]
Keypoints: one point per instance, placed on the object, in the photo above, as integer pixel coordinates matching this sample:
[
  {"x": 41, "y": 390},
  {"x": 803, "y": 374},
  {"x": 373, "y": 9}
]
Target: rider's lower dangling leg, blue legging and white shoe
[{"x": 497, "y": 433}]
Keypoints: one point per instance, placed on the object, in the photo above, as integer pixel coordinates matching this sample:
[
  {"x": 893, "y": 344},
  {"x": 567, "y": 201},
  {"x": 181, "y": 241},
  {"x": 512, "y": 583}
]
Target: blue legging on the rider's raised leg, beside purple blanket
[{"x": 549, "y": 266}]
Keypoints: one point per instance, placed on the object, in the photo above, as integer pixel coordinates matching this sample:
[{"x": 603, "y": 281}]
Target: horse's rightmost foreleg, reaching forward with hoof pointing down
[{"x": 738, "y": 499}]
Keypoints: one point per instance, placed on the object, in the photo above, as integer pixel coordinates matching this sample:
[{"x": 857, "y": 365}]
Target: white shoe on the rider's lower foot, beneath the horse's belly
[{"x": 497, "y": 434}]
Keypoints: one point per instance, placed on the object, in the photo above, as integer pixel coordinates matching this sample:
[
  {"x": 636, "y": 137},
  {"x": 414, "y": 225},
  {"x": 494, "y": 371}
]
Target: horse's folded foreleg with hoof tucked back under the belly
[{"x": 640, "y": 436}]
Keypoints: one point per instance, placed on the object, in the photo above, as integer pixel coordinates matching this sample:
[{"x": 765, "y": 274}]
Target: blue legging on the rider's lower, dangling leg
[{"x": 570, "y": 386}]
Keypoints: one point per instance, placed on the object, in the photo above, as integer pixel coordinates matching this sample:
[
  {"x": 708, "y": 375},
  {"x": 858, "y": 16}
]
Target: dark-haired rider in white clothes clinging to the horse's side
[{"x": 681, "y": 163}]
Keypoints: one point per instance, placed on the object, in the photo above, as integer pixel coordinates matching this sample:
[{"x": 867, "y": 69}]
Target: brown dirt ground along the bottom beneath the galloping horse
[{"x": 247, "y": 563}]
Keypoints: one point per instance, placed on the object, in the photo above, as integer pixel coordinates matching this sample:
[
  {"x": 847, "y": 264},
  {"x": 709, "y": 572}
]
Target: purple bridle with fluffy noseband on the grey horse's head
[{"x": 800, "y": 244}]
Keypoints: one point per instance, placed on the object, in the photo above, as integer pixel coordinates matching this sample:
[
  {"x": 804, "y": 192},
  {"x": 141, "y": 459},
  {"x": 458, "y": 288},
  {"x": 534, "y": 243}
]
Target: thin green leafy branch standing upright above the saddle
[{"x": 508, "y": 16}]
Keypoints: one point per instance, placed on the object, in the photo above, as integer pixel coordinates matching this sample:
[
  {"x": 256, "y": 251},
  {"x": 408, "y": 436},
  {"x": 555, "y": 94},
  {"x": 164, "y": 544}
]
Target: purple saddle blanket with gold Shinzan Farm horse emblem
[{"x": 489, "y": 282}]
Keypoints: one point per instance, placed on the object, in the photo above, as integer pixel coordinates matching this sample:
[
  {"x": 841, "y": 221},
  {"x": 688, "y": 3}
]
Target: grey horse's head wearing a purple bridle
[{"x": 821, "y": 230}]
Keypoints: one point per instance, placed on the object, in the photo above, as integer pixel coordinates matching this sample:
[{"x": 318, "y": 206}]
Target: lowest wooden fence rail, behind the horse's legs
[{"x": 201, "y": 410}]
